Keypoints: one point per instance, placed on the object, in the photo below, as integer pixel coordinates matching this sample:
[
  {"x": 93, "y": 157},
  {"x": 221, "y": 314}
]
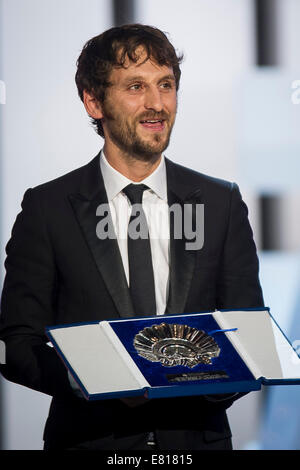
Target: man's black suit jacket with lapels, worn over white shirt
[{"x": 59, "y": 272}]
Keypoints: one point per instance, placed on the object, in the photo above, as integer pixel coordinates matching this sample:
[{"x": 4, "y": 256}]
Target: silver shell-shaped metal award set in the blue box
[{"x": 174, "y": 344}]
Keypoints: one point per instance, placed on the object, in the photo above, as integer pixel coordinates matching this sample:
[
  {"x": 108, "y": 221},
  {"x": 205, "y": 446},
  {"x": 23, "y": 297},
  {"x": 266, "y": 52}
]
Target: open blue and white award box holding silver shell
[{"x": 176, "y": 355}]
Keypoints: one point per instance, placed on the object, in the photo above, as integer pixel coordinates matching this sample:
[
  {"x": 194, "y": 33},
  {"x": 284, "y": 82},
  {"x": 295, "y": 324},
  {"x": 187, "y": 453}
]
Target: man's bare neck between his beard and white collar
[{"x": 130, "y": 166}]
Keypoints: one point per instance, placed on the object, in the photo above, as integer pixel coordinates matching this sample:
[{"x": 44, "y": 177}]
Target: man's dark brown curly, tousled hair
[{"x": 111, "y": 48}]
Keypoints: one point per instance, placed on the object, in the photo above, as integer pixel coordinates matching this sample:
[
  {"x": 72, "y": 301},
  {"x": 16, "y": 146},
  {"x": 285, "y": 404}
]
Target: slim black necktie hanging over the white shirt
[{"x": 141, "y": 278}]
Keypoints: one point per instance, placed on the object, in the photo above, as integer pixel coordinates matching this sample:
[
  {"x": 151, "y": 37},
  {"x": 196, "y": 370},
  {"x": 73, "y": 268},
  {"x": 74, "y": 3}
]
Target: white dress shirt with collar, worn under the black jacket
[{"x": 155, "y": 205}]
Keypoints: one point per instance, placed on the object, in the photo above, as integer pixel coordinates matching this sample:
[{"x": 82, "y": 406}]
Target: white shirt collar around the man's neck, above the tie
[{"x": 115, "y": 182}]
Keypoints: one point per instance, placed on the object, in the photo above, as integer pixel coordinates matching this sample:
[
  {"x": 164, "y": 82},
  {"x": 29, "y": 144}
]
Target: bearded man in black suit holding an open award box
[{"x": 61, "y": 270}]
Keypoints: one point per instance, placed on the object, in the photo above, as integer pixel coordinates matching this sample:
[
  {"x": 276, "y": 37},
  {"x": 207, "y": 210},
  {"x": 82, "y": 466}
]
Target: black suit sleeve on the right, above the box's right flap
[{"x": 238, "y": 280}]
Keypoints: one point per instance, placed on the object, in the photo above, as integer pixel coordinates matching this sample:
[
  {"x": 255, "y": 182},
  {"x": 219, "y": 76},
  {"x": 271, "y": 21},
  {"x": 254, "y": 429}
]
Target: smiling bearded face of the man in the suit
[{"x": 140, "y": 108}]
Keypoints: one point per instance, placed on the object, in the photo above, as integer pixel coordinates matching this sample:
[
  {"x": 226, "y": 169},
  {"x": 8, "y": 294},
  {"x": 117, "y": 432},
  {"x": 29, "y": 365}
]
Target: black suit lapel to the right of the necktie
[{"x": 182, "y": 261}]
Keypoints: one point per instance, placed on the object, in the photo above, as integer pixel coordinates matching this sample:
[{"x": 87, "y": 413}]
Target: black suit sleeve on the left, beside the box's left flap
[{"x": 28, "y": 304}]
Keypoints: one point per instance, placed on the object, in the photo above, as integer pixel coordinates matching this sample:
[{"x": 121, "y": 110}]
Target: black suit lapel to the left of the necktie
[{"x": 105, "y": 252}]
